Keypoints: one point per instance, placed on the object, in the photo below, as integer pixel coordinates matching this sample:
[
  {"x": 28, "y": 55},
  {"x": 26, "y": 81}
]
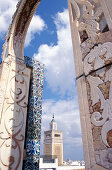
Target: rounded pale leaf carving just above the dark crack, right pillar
[{"x": 98, "y": 57}]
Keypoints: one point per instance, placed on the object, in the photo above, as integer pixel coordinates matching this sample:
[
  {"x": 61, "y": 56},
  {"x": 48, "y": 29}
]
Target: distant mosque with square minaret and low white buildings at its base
[{"x": 53, "y": 151}]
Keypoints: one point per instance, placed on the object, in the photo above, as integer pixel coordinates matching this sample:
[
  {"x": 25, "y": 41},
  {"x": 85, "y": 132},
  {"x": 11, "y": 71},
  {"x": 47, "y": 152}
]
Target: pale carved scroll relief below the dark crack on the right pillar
[{"x": 104, "y": 116}]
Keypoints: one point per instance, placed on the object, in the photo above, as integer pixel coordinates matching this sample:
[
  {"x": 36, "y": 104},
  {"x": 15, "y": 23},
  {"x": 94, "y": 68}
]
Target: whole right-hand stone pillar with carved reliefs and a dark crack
[{"x": 92, "y": 45}]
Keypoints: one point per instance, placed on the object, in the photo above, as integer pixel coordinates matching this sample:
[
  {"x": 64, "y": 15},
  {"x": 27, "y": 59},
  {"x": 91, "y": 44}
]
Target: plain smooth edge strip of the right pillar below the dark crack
[{"x": 85, "y": 123}]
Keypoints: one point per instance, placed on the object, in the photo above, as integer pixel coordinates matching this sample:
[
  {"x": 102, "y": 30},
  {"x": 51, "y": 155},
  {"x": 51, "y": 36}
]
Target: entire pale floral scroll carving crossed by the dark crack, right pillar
[{"x": 96, "y": 59}]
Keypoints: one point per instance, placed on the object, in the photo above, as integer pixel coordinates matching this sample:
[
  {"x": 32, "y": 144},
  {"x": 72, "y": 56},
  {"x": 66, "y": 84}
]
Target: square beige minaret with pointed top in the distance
[{"x": 53, "y": 142}]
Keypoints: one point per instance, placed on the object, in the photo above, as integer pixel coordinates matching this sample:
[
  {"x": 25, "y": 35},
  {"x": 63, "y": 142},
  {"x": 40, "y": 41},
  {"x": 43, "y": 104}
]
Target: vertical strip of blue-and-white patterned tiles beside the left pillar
[{"x": 34, "y": 113}]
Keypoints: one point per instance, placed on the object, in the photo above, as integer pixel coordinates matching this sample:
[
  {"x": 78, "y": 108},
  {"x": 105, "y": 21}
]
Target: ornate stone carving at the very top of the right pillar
[{"x": 88, "y": 18}]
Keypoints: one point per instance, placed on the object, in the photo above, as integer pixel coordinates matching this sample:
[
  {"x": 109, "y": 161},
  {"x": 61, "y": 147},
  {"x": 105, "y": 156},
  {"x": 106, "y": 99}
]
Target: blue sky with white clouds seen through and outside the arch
[{"x": 49, "y": 41}]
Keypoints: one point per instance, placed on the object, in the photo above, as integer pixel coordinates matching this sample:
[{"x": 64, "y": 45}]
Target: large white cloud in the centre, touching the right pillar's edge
[{"x": 58, "y": 59}]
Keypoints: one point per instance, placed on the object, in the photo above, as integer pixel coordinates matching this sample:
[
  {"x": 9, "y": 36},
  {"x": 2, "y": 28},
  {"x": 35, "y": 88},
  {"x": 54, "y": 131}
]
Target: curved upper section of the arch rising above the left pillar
[{"x": 15, "y": 37}]
